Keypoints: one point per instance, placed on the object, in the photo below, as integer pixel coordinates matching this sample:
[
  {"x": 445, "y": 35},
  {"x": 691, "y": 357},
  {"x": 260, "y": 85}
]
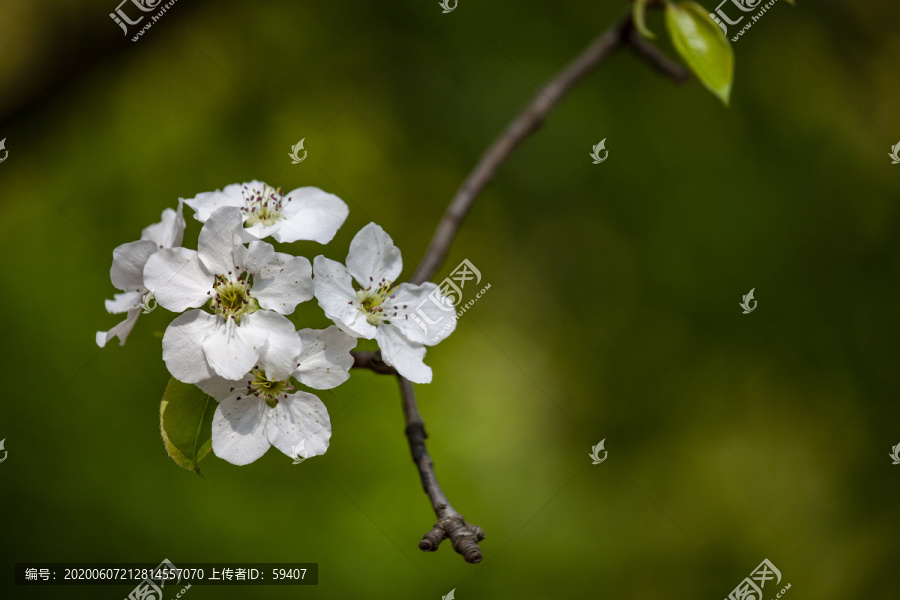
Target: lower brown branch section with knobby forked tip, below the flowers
[{"x": 450, "y": 524}]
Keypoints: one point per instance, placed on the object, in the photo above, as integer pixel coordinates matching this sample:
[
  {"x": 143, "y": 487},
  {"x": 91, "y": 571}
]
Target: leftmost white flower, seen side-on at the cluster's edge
[{"x": 128, "y": 269}]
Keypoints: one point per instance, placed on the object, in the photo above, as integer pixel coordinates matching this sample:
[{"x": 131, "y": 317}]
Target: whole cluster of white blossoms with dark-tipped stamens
[{"x": 232, "y": 337}]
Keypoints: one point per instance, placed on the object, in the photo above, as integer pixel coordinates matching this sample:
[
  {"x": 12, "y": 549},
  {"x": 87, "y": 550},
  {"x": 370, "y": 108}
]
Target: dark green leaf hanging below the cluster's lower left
[{"x": 185, "y": 416}]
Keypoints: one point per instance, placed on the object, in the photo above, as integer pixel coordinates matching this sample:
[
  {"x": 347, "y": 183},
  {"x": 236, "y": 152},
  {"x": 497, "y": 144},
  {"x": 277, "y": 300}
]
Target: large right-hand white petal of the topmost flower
[{"x": 310, "y": 214}]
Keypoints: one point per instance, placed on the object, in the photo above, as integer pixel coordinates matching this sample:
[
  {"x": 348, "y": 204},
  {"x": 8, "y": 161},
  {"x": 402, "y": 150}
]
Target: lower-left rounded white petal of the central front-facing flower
[{"x": 183, "y": 346}]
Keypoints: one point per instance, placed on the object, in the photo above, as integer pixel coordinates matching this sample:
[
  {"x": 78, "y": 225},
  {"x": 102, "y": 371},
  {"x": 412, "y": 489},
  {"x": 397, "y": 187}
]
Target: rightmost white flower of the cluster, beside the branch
[{"x": 375, "y": 308}]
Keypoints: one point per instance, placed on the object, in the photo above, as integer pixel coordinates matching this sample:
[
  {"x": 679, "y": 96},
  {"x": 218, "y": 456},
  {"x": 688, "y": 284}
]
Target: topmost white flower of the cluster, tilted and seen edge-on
[{"x": 306, "y": 213}]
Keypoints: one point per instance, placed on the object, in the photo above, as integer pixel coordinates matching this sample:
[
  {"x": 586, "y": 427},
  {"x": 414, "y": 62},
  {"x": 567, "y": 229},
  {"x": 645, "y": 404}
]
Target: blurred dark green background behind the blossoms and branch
[{"x": 613, "y": 309}]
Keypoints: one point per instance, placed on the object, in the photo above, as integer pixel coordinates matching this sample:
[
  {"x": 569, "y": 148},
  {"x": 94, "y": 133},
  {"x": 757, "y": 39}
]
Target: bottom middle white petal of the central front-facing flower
[{"x": 232, "y": 349}]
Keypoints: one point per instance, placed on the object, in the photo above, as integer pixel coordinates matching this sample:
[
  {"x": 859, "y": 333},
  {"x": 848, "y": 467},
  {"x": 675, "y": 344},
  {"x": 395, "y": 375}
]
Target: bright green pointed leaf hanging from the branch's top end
[{"x": 702, "y": 45}]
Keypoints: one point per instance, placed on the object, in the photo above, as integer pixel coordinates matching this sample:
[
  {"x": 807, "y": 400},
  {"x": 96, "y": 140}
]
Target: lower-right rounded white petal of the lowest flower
[{"x": 300, "y": 417}]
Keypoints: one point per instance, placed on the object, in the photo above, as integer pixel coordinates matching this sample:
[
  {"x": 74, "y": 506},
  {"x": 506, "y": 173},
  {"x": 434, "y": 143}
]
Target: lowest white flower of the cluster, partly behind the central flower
[{"x": 260, "y": 411}]
